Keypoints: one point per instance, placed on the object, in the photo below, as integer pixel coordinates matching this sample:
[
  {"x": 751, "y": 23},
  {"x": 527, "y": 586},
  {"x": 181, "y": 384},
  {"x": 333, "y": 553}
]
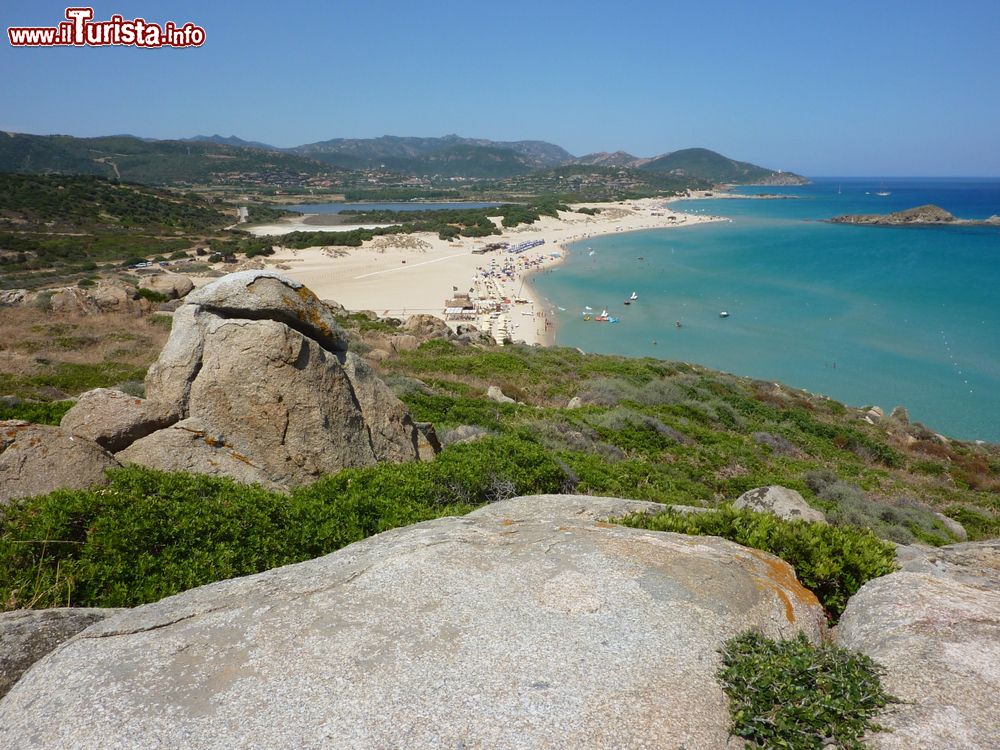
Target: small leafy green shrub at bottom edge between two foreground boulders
[{"x": 792, "y": 694}]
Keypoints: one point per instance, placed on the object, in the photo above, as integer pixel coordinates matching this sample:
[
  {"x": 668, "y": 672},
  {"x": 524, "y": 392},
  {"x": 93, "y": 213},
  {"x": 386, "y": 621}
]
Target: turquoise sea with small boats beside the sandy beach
[{"x": 865, "y": 315}]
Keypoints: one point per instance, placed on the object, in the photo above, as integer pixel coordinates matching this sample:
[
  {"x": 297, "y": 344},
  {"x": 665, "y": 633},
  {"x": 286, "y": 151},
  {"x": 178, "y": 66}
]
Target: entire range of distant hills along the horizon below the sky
[{"x": 203, "y": 159}]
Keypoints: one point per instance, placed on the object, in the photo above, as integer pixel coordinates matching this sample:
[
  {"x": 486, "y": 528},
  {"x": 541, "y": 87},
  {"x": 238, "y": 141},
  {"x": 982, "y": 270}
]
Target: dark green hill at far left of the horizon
[{"x": 152, "y": 162}]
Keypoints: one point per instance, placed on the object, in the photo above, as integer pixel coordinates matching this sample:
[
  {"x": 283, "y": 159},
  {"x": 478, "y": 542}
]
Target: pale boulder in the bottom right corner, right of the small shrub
[{"x": 938, "y": 635}]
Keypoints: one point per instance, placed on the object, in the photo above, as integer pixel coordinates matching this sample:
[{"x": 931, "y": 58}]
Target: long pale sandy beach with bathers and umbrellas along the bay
[{"x": 402, "y": 275}]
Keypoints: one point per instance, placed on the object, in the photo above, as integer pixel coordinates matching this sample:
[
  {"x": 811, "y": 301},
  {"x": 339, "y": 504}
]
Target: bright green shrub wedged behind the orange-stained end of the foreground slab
[{"x": 831, "y": 561}]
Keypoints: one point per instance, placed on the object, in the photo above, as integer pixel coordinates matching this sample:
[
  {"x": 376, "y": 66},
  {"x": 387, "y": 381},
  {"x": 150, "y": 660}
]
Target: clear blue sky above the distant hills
[{"x": 871, "y": 88}]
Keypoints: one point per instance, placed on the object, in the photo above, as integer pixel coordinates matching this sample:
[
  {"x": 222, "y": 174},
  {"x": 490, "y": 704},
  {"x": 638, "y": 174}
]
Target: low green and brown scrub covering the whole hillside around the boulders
[{"x": 647, "y": 429}]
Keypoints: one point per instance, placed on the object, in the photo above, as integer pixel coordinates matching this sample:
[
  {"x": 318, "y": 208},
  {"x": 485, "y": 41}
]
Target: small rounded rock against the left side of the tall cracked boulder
[{"x": 114, "y": 420}]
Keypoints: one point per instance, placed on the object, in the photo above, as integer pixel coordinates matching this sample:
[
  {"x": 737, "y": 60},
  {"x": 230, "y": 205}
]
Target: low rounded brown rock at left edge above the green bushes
[{"x": 38, "y": 459}]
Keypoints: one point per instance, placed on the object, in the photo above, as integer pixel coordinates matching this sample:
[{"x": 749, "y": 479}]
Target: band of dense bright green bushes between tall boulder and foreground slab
[{"x": 150, "y": 534}]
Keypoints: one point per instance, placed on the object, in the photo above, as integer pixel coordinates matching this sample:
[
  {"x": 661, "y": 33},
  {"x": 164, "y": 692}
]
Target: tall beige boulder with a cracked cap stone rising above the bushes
[{"x": 257, "y": 379}]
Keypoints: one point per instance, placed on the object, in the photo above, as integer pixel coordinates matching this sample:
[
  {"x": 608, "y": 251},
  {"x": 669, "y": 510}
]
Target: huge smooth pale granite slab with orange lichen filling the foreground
[{"x": 530, "y": 623}]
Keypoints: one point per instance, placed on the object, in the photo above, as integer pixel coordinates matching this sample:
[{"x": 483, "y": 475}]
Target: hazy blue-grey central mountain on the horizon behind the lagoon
[{"x": 450, "y": 155}]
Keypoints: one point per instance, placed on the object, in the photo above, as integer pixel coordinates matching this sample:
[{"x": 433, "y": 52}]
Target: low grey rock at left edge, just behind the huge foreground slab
[{"x": 26, "y": 635}]
